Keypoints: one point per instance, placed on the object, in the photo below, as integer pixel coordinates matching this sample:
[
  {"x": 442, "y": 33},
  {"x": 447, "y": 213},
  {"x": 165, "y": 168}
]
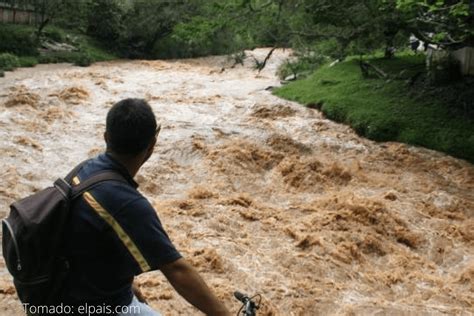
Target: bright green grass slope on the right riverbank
[{"x": 386, "y": 111}]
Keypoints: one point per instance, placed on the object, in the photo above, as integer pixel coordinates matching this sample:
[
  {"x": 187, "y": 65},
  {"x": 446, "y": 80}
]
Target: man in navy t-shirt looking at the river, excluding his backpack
[{"x": 114, "y": 233}]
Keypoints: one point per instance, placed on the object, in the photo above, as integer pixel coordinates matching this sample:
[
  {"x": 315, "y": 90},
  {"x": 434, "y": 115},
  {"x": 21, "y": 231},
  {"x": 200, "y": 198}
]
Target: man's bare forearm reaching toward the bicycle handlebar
[{"x": 189, "y": 284}]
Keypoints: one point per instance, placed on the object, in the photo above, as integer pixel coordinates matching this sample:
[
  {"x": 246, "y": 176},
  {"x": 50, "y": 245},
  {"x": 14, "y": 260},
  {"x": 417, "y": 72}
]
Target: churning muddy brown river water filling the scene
[{"x": 260, "y": 194}]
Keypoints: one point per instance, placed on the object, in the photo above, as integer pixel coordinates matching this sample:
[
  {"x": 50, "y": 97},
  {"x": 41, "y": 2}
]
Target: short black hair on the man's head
[{"x": 131, "y": 126}]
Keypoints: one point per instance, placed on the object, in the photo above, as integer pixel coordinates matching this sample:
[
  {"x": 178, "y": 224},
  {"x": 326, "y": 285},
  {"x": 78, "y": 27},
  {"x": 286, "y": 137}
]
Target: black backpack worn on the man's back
[{"x": 33, "y": 233}]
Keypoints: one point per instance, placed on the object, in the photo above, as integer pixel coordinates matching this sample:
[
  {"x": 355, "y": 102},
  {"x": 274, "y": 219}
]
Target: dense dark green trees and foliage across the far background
[{"x": 186, "y": 28}]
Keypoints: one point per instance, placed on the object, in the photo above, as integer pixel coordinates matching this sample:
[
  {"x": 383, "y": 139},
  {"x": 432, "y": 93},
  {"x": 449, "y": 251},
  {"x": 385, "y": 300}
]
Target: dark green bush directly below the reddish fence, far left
[{"x": 18, "y": 40}]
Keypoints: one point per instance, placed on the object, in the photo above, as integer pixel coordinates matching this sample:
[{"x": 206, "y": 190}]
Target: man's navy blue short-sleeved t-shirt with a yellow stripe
[{"x": 113, "y": 234}]
